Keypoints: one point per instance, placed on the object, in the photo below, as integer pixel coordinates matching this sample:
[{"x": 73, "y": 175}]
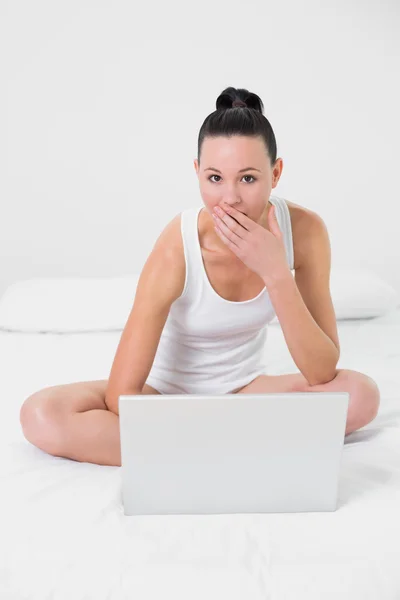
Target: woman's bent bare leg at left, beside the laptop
[{"x": 72, "y": 421}]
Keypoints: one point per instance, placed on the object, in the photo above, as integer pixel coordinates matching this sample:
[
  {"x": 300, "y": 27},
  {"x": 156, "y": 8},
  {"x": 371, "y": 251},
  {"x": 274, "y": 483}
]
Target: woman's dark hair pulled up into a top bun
[{"x": 239, "y": 112}]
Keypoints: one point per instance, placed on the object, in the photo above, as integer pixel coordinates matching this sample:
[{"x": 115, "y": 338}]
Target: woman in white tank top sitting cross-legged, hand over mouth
[{"x": 206, "y": 294}]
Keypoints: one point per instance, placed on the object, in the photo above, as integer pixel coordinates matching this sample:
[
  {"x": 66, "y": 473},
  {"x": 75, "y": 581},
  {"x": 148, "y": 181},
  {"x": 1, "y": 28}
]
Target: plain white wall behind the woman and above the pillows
[{"x": 101, "y": 105}]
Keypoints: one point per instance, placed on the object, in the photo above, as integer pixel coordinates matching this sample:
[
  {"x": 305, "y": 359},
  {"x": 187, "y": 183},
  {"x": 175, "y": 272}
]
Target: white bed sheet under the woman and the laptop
[{"x": 64, "y": 534}]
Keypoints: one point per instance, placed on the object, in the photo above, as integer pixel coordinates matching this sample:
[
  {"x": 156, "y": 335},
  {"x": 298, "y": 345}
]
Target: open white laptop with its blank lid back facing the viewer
[{"x": 231, "y": 453}]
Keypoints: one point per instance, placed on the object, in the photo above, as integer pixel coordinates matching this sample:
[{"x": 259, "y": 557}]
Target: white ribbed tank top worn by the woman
[{"x": 209, "y": 344}]
